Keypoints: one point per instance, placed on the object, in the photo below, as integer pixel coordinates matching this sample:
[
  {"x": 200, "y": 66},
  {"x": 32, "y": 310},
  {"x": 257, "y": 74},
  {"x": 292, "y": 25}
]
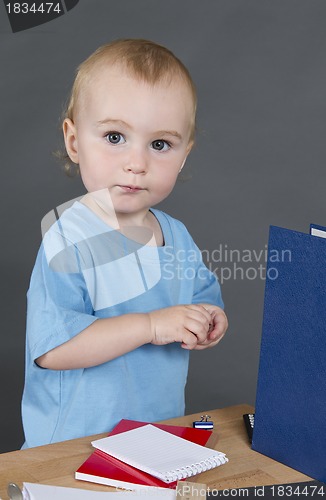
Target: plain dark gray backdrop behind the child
[{"x": 260, "y": 70}]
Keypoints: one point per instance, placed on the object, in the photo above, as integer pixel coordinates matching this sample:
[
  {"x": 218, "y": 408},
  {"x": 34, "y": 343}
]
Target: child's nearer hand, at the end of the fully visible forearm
[{"x": 188, "y": 324}]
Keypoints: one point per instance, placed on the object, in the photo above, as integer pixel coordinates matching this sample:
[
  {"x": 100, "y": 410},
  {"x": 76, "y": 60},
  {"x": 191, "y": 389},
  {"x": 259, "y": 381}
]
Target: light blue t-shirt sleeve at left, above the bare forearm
[{"x": 58, "y": 306}]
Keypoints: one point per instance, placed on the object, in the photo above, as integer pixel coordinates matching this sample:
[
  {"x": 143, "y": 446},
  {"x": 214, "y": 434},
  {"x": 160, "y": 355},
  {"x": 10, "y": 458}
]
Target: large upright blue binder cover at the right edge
[{"x": 290, "y": 414}]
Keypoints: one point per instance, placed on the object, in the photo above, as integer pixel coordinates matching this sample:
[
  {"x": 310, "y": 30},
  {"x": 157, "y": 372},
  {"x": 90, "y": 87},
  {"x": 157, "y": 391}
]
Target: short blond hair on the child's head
[{"x": 145, "y": 60}]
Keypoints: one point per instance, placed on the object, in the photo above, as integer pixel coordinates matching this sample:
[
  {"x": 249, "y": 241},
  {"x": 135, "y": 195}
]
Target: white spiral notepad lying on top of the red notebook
[{"x": 159, "y": 453}]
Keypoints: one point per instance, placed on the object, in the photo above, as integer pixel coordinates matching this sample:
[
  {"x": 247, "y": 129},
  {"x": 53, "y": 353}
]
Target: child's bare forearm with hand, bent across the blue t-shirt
[{"x": 109, "y": 338}]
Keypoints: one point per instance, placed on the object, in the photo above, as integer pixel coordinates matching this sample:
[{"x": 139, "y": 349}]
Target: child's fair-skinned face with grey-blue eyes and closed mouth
[{"x": 131, "y": 138}]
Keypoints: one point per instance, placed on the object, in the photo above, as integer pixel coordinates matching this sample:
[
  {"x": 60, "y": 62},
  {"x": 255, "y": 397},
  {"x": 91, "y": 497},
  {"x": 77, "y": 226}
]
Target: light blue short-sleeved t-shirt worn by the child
[{"x": 85, "y": 271}]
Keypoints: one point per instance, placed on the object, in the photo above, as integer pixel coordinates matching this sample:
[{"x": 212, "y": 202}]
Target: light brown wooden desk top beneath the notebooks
[{"x": 55, "y": 464}]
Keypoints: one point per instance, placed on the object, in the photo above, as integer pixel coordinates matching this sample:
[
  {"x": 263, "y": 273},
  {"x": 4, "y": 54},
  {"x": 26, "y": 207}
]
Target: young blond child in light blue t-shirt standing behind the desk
[{"x": 119, "y": 294}]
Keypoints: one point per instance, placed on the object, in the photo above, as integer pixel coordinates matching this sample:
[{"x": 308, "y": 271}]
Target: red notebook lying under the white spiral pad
[{"x": 104, "y": 469}]
